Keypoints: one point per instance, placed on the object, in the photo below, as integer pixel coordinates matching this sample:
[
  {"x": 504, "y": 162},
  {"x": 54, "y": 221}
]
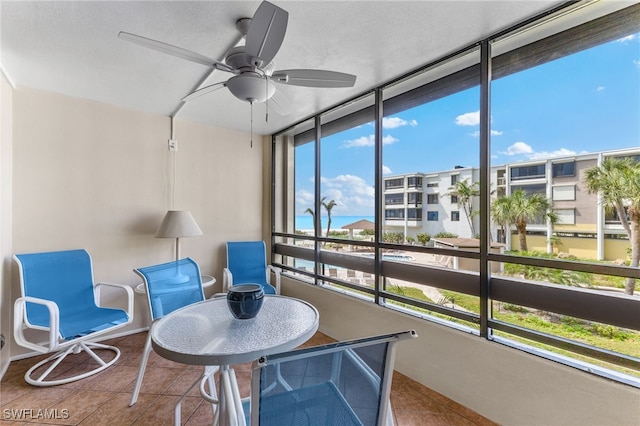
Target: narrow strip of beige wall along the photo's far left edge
[{"x": 6, "y": 129}]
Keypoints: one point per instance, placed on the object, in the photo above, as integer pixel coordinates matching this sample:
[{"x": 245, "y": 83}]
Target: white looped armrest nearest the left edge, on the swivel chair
[{"x": 20, "y": 320}]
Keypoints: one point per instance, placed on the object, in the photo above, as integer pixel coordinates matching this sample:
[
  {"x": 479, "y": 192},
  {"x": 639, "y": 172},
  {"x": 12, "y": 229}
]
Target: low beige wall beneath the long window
[{"x": 506, "y": 385}]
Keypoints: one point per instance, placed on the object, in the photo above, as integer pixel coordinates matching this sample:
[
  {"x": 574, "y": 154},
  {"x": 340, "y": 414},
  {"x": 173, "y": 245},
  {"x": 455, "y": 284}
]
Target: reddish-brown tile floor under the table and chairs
[{"x": 103, "y": 399}]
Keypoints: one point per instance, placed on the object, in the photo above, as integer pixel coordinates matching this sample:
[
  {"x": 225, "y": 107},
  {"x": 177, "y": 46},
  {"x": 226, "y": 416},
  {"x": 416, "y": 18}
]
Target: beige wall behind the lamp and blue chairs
[{"x": 94, "y": 176}]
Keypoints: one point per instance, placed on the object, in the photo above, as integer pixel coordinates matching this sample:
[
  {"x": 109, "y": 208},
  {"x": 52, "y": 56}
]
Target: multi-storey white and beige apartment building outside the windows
[{"x": 426, "y": 203}]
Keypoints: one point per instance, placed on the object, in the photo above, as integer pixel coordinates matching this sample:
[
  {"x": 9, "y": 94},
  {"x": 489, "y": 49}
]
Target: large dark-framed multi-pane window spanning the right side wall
[{"x": 529, "y": 241}]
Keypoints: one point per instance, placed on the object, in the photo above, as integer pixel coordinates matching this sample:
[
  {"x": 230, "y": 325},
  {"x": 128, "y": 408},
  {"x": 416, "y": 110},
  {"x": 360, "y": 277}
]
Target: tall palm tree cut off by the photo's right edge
[{"x": 618, "y": 182}]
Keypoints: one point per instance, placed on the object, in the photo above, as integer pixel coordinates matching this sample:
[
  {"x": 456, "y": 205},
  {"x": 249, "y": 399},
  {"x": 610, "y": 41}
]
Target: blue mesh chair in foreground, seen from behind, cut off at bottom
[{"x": 344, "y": 383}]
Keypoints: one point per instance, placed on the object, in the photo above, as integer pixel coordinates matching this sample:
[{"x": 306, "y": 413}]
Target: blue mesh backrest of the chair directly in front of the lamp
[{"x": 172, "y": 285}]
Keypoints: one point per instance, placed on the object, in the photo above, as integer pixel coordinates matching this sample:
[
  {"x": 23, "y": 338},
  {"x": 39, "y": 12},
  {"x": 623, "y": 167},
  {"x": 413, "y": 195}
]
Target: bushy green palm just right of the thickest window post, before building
[{"x": 519, "y": 208}]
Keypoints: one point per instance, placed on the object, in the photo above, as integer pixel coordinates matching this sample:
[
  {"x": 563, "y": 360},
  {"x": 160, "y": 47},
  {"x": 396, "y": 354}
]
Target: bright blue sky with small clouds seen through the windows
[{"x": 586, "y": 102}]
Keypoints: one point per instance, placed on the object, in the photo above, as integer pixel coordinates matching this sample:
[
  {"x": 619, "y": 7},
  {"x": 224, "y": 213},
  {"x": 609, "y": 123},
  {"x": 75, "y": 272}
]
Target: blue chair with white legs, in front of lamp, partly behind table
[{"x": 170, "y": 286}]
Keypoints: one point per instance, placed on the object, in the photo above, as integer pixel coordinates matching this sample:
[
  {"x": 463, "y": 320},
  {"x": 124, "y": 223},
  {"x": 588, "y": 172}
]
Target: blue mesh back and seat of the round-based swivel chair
[{"x": 66, "y": 278}]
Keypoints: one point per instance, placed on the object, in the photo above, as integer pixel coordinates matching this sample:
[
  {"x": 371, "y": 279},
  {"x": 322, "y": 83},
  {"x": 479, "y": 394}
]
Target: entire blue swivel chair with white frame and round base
[{"x": 60, "y": 298}]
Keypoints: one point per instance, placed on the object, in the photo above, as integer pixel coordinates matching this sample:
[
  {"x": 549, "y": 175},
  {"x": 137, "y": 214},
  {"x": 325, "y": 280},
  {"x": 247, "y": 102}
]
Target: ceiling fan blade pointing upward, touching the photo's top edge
[{"x": 266, "y": 33}]
